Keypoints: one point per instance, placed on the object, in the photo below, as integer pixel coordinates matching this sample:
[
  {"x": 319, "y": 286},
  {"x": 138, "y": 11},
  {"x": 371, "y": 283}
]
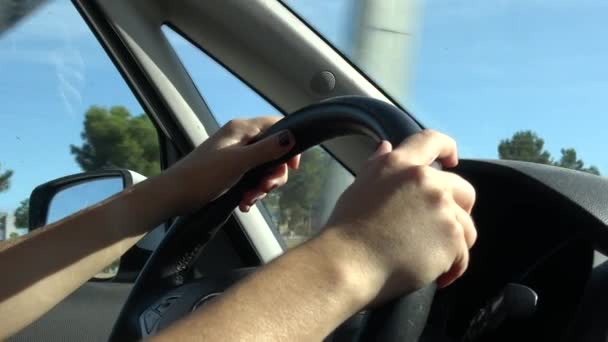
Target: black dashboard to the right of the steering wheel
[{"x": 535, "y": 234}]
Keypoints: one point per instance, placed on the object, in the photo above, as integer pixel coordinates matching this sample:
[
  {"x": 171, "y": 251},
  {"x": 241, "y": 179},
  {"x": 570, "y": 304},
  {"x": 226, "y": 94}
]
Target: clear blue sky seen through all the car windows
[{"x": 482, "y": 70}]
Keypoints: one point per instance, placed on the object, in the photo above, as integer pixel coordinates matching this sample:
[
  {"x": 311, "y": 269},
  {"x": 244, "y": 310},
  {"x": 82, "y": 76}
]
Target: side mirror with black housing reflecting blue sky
[{"x": 59, "y": 198}]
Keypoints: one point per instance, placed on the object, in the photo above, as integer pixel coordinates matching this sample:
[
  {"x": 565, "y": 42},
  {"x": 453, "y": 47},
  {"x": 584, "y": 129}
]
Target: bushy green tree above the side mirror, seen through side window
[{"x": 113, "y": 138}]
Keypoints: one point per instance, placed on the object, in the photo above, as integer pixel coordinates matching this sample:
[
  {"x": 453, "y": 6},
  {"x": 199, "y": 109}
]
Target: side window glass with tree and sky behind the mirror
[{"x": 65, "y": 109}]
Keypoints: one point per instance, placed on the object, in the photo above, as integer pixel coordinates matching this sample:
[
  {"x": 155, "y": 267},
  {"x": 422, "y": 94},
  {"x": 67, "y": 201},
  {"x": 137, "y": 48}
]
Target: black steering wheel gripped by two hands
[{"x": 166, "y": 289}]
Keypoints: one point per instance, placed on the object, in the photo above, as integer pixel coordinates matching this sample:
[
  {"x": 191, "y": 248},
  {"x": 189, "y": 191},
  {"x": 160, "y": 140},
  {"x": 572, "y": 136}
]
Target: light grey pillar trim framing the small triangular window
[{"x": 137, "y": 25}]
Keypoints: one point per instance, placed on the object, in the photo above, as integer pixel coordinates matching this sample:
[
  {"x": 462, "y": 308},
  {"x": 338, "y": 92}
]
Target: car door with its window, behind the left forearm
[{"x": 66, "y": 109}]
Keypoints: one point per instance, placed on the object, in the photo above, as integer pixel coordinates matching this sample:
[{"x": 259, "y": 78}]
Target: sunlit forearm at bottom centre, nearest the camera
[{"x": 301, "y": 296}]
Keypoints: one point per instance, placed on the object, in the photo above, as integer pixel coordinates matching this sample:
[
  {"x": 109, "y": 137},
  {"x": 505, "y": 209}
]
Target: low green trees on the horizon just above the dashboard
[{"x": 528, "y": 146}]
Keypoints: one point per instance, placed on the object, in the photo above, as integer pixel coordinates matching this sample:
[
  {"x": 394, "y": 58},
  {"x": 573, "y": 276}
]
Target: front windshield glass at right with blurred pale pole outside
[{"x": 510, "y": 79}]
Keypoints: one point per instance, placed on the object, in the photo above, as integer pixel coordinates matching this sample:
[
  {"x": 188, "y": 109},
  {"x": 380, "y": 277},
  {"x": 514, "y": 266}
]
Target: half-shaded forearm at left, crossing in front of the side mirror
[{"x": 45, "y": 266}]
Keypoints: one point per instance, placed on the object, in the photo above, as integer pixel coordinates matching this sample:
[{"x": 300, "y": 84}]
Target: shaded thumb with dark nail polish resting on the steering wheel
[{"x": 269, "y": 148}]
